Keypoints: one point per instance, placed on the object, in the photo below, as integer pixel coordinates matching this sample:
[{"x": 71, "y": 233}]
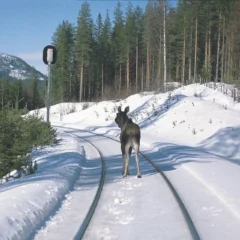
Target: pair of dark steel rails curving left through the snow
[{"x": 189, "y": 222}]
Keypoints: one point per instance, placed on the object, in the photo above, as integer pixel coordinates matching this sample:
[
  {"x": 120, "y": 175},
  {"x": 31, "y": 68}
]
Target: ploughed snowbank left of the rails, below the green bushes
[{"x": 26, "y": 203}]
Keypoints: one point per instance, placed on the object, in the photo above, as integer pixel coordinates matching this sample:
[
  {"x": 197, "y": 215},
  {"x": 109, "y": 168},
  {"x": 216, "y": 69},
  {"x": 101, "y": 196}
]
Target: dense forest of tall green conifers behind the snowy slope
[{"x": 195, "y": 41}]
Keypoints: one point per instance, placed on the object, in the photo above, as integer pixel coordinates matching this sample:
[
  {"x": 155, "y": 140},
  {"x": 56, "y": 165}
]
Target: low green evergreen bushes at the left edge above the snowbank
[{"x": 18, "y": 137}]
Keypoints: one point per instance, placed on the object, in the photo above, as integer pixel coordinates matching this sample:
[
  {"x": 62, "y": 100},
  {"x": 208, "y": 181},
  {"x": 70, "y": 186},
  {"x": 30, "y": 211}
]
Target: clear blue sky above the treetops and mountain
[{"x": 27, "y": 26}]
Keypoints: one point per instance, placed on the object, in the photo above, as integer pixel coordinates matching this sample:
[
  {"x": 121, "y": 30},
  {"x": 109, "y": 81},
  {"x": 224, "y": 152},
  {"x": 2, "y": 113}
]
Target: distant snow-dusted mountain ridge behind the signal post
[{"x": 15, "y": 67}]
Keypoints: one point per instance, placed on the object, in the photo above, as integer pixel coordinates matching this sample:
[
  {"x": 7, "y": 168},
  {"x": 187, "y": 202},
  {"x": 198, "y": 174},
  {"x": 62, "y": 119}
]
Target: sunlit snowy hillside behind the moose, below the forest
[{"x": 191, "y": 115}]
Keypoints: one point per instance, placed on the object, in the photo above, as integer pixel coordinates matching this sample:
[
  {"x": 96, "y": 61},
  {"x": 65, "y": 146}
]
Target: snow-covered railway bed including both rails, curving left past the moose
[{"x": 103, "y": 224}]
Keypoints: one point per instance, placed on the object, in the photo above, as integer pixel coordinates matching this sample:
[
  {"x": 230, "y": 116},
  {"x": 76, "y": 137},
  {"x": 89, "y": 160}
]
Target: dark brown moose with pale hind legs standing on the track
[{"x": 129, "y": 138}]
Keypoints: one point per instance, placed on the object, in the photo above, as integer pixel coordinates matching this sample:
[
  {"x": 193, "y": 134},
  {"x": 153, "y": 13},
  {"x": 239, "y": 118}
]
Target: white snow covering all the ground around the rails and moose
[{"x": 192, "y": 133}]
